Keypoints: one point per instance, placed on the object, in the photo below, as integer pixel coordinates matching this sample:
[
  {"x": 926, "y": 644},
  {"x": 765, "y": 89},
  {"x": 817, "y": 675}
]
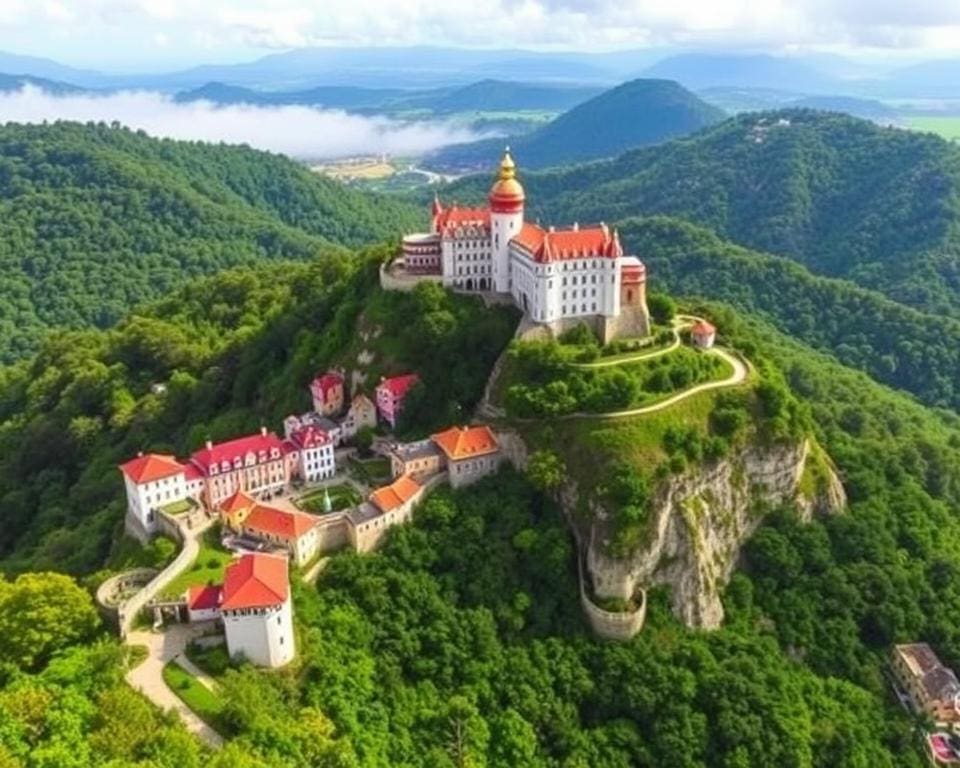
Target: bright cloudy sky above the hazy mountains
[{"x": 147, "y": 34}]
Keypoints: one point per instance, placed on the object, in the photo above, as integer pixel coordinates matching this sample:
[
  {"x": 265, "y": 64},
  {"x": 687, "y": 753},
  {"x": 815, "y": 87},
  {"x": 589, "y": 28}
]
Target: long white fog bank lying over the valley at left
[{"x": 297, "y": 131}]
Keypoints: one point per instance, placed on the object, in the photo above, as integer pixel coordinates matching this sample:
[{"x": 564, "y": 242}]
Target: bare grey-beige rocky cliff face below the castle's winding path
[{"x": 700, "y": 520}]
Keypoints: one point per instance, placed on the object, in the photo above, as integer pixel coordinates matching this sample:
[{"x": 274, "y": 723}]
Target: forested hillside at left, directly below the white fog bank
[{"x": 95, "y": 219}]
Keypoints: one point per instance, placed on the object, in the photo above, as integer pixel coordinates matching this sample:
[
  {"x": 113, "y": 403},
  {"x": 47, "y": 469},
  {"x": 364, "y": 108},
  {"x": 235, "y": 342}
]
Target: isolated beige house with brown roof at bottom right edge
[{"x": 933, "y": 687}]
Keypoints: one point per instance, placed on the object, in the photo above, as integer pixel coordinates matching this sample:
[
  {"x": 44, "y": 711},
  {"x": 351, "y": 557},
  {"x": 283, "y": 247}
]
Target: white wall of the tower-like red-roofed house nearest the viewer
[{"x": 264, "y": 636}]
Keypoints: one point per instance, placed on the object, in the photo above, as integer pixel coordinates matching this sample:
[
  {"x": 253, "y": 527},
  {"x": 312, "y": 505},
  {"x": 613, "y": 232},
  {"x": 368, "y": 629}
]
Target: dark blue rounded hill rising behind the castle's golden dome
[{"x": 634, "y": 114}]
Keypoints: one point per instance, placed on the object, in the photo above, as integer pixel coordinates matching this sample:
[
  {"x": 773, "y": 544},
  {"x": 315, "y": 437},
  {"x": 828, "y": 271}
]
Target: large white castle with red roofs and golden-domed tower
[{"x": 559, "y": 278}]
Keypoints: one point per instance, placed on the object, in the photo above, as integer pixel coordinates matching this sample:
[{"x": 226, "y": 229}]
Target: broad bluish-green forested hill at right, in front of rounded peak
[{"x": 843, "y": 196}]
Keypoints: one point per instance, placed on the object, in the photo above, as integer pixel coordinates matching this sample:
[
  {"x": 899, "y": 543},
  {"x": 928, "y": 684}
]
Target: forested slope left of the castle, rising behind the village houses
[{"x": 236, "y": 350}]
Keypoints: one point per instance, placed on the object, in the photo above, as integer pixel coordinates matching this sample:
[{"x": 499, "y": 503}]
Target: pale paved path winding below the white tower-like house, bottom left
[{"x": 147, "y": 678}]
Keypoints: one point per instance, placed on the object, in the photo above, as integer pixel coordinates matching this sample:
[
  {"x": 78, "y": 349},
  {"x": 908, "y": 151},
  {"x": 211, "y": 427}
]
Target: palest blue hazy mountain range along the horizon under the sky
[{"x": 422, "y": 67}]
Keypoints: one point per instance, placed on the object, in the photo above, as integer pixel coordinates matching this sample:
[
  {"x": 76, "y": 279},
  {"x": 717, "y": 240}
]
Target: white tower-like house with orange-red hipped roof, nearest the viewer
[{"x": 256, "y": 610}]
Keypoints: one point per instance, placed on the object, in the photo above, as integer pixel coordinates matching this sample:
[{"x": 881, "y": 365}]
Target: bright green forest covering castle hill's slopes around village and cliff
[{"x": 467, "y": 621}]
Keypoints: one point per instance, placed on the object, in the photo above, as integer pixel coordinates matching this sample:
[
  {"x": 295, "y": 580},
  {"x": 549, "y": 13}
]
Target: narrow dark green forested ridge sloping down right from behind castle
[{"x": 895, "y": 344}]
